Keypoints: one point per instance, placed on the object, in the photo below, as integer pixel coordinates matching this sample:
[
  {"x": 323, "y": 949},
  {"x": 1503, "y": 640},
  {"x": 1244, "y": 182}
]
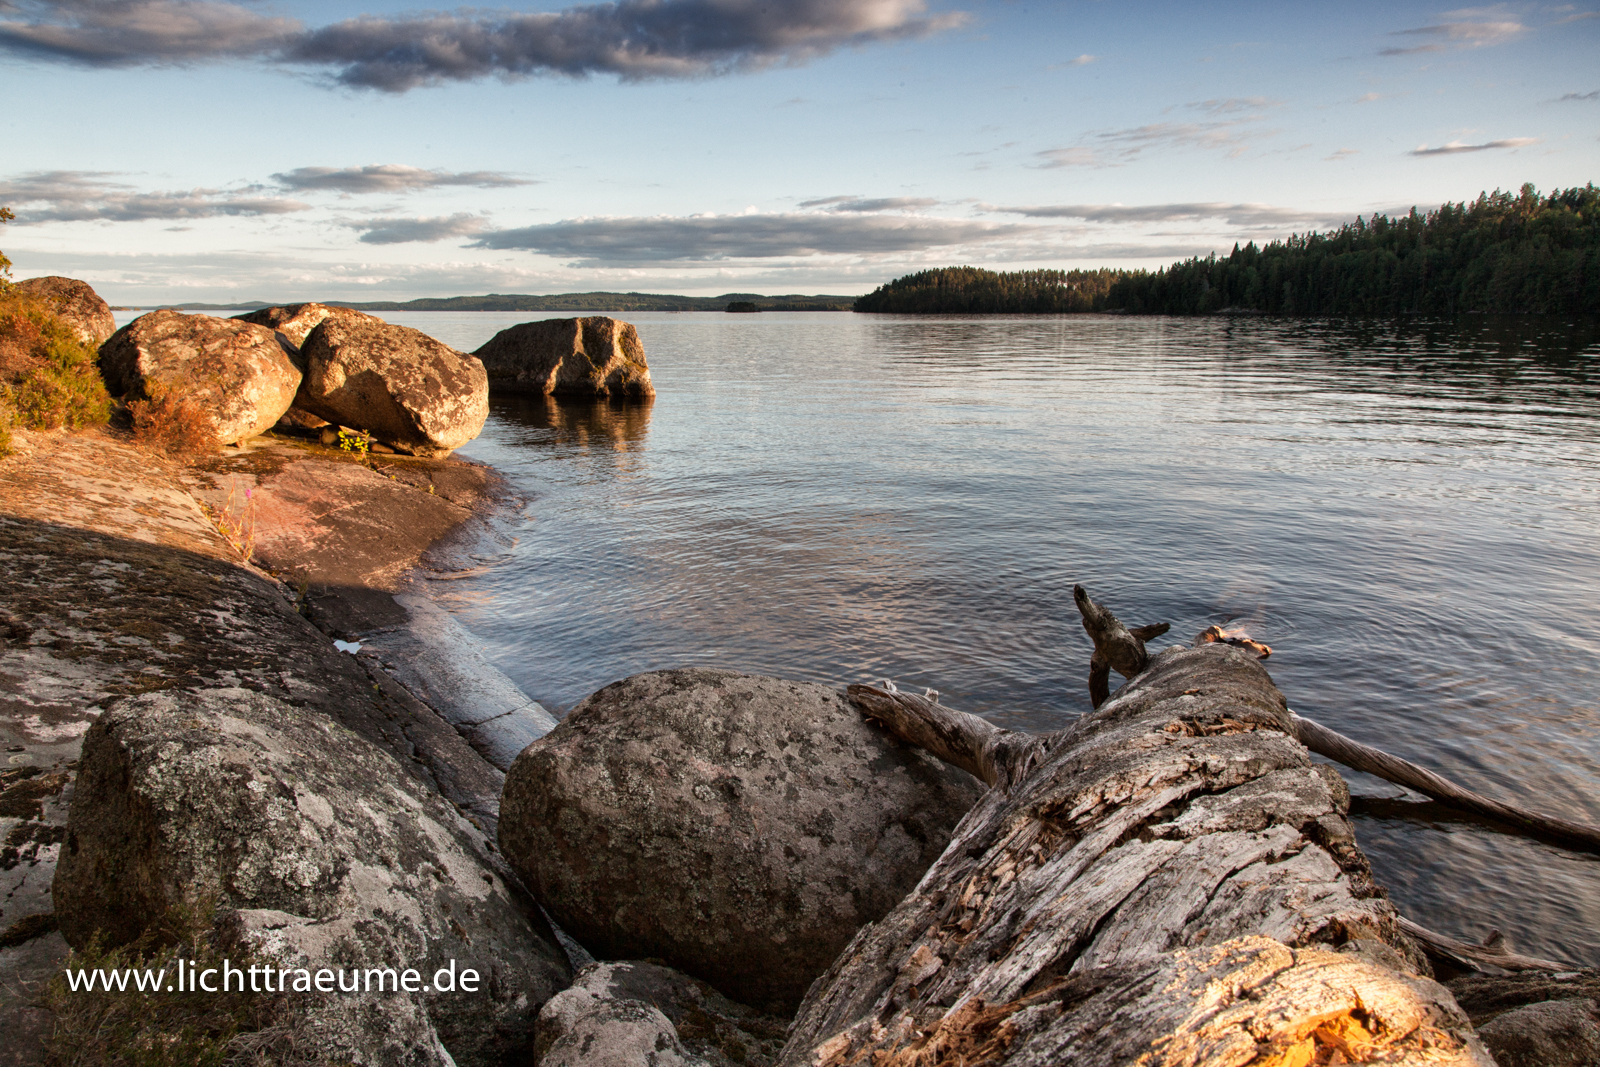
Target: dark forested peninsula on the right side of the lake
[{"x": 1502, "y": 254}]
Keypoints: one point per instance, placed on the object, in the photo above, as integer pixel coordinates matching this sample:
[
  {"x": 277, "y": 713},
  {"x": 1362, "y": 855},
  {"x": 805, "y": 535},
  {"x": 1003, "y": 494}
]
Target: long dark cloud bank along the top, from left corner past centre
[{"x": 631, "y": 39}]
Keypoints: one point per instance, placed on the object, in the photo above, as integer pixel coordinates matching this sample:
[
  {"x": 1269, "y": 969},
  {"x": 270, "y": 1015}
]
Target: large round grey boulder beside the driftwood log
[{"x": 737, "y": 828}]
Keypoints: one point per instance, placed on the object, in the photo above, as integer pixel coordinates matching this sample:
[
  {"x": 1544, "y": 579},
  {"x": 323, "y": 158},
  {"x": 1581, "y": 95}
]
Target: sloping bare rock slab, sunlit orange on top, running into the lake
[{"x": 118, "y": 581}]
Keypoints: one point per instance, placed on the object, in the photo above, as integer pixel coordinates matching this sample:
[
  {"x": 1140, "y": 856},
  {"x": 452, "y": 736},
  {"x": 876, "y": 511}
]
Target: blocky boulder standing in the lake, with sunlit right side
[{"x": 569, "y": 358}]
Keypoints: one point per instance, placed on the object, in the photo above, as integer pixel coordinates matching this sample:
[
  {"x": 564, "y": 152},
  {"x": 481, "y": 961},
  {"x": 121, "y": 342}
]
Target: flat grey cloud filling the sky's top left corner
[{"x": 132, "y": 33}]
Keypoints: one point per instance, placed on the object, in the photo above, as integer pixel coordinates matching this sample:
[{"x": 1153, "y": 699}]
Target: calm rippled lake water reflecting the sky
[{"x": 1409, "y": 514}]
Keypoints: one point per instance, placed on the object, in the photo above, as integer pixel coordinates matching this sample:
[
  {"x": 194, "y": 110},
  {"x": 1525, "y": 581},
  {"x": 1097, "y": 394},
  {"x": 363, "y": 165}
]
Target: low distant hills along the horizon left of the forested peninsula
[{"x": 569, "y": 303}]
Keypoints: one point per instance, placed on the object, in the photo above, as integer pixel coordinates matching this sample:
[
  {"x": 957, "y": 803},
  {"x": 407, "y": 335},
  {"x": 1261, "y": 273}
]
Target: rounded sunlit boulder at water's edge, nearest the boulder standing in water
[{"x": 409, "y": 391}]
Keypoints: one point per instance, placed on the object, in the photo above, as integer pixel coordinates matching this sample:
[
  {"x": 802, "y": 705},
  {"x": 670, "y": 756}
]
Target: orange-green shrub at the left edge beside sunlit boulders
[{"x": 49, "y": 378}]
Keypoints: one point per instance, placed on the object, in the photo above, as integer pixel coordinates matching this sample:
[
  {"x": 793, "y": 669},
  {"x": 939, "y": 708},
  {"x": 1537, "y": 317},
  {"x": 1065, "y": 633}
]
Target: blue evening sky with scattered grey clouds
[{"x": 234, "y": 151}]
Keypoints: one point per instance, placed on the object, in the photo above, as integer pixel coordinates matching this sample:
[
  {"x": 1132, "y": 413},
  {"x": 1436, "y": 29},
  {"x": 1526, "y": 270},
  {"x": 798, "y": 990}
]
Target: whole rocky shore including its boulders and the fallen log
[{"x": 238, "y": 729}]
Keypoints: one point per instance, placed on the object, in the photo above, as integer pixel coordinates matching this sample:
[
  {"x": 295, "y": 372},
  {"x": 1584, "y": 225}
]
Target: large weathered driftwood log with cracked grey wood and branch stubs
[{"x": 1170, "y": 881}]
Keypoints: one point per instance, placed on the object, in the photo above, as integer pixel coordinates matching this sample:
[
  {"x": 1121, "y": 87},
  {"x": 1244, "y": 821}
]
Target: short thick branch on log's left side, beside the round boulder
[{"x": 994, "y": 756}]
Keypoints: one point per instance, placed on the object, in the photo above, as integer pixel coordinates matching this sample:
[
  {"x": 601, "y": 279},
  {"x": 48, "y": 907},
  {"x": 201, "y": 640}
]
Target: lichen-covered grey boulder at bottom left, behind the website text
[{"x": 326, "y": 852}]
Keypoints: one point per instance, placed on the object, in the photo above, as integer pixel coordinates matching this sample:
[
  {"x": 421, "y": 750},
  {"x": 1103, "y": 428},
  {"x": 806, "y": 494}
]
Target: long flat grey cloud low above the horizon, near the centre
[{"x": 700, "y": 239}]
